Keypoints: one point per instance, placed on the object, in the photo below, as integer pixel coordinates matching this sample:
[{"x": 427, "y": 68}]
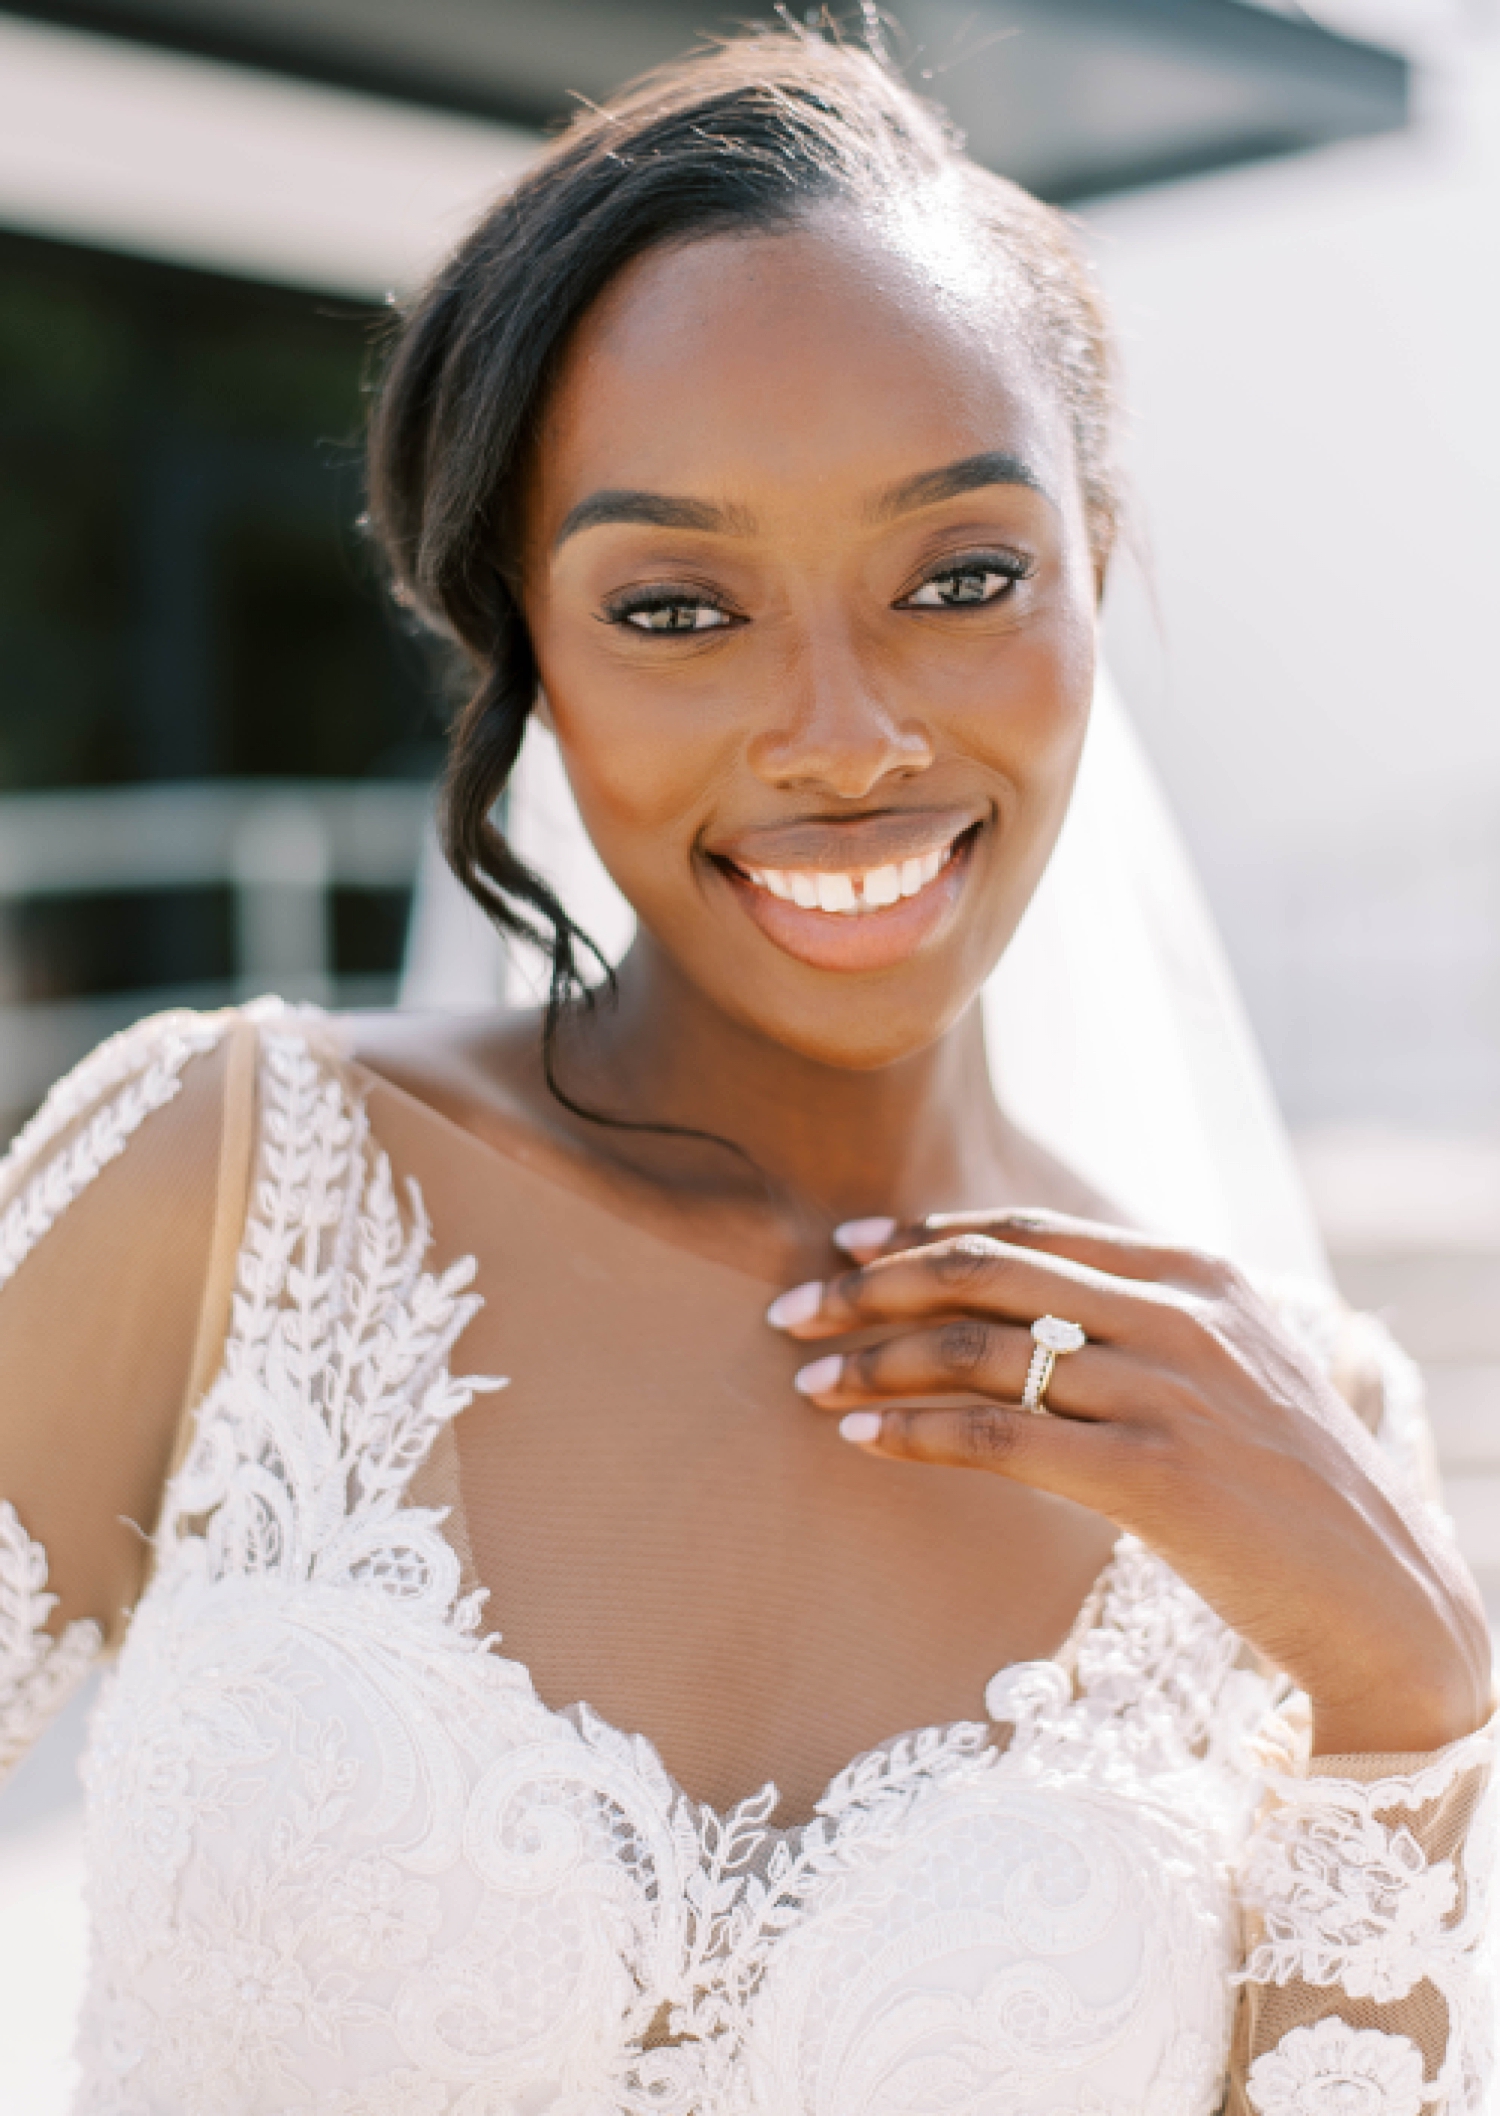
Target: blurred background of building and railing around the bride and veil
[{"x": 217, "y": 744}]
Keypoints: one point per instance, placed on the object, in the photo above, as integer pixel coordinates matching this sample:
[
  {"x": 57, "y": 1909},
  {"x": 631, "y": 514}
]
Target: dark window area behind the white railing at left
[{"x": 185, "y": 596}]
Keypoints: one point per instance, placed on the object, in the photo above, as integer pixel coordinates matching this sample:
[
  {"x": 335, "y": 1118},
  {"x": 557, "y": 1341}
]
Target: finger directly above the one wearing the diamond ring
[{"x": 974, "y": 1275}]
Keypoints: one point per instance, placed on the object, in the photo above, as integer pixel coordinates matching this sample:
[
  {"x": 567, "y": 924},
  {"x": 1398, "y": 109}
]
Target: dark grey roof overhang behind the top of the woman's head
[{"x": 1072, "y": 96}]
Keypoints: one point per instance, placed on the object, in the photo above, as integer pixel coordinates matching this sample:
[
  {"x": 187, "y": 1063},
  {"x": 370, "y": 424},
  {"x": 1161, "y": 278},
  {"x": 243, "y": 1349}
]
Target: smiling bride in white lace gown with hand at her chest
[{"x": 907, "y": 1639}]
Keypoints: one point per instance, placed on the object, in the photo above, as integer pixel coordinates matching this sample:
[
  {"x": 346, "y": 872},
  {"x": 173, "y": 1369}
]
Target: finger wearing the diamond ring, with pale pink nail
[{"x": 972, "y": 1357}]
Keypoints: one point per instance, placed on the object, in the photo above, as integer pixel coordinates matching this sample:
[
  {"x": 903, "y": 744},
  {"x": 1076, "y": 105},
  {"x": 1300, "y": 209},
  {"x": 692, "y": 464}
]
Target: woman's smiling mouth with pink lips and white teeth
[{"x": 856, "y": 917}]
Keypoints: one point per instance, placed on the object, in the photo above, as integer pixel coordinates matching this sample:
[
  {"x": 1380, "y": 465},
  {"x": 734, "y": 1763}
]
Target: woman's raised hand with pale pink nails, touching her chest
[{"x": 1190, "y": 1419}]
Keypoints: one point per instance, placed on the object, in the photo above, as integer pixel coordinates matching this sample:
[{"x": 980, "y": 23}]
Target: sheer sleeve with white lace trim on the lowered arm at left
[{"x": 105, "y": 1216}]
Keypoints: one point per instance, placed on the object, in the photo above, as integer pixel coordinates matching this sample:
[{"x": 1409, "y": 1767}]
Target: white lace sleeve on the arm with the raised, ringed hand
[{"x": 1368, "y": 1980}]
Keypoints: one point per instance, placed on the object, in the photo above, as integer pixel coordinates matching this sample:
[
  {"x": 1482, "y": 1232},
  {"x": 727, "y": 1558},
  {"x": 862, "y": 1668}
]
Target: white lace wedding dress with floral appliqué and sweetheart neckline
[{"x": 346, "y": 1863}]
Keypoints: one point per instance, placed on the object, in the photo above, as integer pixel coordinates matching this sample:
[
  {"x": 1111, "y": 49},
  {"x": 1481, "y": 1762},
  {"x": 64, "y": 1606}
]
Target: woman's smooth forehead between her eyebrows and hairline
[{"x": 807, "y": 363}]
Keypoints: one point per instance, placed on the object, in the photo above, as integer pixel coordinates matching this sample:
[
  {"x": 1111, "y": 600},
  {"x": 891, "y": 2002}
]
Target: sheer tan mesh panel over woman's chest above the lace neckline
[{"x": 667, "y": 1529}]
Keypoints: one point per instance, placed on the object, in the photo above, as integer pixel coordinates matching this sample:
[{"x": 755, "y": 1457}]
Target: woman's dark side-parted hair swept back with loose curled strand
[{"x": 748, "y": 136}]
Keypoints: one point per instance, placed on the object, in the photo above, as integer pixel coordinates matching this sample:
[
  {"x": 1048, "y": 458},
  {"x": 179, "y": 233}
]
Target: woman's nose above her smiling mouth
[{"x": 835, "y": 733}]
